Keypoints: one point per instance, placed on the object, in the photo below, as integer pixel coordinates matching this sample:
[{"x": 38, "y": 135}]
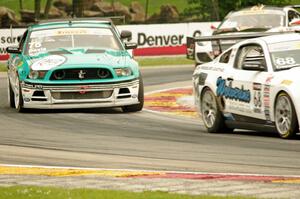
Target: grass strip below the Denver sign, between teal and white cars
[{"x": 163, "y": 61}]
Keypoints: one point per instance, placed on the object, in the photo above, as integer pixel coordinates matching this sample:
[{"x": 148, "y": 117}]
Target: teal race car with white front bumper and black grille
[{"x": 74, "y": 63}]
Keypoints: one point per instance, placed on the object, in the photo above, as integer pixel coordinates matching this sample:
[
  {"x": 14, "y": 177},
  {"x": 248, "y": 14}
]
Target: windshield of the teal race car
[{"x": 43, "y": 41}]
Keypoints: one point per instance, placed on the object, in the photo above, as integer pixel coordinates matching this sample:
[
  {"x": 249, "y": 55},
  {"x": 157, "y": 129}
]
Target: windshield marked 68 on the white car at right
[{"x": 285, "y": 55}]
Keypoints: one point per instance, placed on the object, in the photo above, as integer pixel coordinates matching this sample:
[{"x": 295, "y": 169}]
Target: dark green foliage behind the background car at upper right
[{"x": 207, "y": 10}]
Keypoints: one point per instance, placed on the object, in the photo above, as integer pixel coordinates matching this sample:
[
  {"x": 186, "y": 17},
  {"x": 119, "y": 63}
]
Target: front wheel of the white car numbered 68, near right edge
[{"x": 285, "y": 116}]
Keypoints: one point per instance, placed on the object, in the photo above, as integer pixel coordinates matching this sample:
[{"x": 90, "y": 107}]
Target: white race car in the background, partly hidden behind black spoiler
[{"x": 253, "y": 19}]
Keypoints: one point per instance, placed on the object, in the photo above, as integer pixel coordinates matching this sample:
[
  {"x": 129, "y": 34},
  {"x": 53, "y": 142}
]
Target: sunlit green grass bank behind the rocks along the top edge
[{"x": 154, "y": 5}]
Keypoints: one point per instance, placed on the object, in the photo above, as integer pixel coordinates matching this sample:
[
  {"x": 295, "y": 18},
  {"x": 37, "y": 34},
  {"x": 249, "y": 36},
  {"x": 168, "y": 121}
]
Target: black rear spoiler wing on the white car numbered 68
[{"x": 190, "y": 41}]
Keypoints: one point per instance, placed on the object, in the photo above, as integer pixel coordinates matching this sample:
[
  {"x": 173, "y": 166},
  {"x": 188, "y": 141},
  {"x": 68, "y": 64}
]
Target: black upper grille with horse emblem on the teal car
[{"x": 81, "y": 74}]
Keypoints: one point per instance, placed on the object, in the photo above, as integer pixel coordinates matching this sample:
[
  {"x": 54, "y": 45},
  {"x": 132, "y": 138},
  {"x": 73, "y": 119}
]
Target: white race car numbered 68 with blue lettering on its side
[{"x": 252, "y": 85}]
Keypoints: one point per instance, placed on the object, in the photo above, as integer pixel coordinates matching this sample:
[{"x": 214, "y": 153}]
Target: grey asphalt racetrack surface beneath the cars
[{"x": 108, "y": 138}]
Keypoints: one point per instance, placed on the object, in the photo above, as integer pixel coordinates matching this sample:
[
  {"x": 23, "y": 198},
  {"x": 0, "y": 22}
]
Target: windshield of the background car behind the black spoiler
[{"x": 251, "y": 21}]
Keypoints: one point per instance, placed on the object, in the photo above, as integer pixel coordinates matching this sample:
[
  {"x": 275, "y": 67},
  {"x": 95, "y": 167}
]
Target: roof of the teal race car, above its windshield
[{"x": 74, "y": 22}]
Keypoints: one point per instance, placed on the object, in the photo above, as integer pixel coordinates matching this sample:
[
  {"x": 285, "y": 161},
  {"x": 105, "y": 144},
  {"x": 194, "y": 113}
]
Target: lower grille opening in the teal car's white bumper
[{"x": 81, "y": 95}]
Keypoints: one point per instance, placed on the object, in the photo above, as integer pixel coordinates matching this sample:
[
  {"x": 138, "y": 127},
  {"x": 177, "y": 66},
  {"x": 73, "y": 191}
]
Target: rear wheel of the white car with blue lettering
[{"x": 211, "y": 114}]
